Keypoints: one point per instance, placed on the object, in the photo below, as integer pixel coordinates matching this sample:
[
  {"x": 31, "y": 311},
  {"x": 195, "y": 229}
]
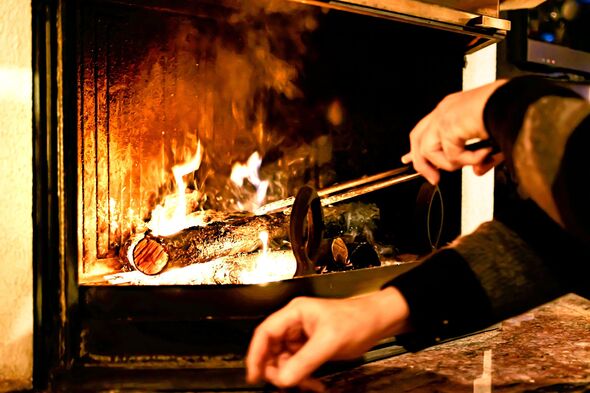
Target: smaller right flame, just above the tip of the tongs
[{"x": 241, "y": 172}]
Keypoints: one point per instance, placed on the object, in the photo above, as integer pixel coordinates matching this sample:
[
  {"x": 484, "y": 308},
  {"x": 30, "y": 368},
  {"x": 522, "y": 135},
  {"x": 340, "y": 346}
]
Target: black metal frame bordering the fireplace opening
[{"x": 58, "y": 312}]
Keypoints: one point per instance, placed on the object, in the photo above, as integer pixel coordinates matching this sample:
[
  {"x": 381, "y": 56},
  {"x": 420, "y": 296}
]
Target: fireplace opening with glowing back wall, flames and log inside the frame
[{"x": 190, "y": 119}]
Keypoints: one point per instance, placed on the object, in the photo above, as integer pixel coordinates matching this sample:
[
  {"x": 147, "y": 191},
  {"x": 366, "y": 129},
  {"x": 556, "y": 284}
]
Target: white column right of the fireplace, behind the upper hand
[{"x": 477, "y": 191}]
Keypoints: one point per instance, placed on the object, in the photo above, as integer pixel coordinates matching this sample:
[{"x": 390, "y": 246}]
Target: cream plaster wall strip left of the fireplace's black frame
[{"x": 16, "y": 196}]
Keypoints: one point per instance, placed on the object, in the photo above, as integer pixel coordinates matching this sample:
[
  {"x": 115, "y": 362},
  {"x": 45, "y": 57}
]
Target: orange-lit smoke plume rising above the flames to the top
[{"x": 243, "y": 66}]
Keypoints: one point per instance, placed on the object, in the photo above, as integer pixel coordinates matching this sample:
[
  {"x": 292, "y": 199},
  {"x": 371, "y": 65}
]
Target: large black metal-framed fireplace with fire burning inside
[{"x": 286, "y": 93}]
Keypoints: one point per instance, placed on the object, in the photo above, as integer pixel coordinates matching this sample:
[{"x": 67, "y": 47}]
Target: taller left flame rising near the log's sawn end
[{"x": 171, "y": 217}]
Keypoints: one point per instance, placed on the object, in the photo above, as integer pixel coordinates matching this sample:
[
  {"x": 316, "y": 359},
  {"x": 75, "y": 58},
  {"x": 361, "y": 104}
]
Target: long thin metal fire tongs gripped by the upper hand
[{"x": 347, "y": 190}]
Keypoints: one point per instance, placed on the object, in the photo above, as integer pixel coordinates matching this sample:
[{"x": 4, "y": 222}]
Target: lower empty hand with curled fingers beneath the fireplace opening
[{"x": 294, "y": 341}]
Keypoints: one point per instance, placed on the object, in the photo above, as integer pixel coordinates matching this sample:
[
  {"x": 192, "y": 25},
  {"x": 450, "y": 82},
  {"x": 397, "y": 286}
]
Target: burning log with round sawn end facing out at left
[{"x": 153, "y": 254}]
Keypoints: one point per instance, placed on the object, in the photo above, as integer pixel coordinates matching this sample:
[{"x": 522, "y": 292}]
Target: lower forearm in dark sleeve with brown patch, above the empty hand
[{"x": 498, "y": 271}]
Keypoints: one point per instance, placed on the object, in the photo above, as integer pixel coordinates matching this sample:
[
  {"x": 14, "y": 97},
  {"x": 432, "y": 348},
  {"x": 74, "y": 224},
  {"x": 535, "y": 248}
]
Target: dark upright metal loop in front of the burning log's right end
[{"x": 306, "y": 229}]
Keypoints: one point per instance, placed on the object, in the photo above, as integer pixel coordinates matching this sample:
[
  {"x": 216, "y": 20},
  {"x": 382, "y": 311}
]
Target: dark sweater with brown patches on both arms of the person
[{"x": 535, "y": 251}]
